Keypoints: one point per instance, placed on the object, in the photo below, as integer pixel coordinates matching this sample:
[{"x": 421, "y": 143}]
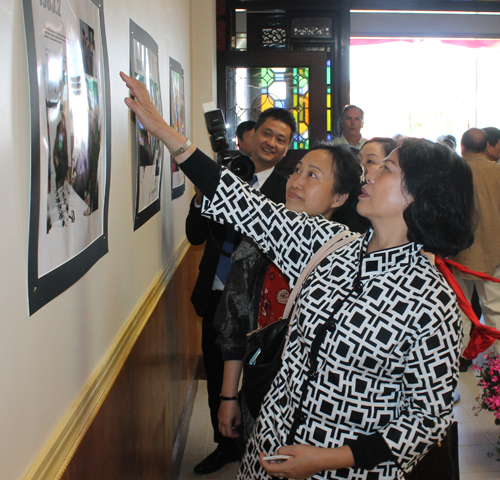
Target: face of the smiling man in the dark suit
[{"x": 270, "y": 143}]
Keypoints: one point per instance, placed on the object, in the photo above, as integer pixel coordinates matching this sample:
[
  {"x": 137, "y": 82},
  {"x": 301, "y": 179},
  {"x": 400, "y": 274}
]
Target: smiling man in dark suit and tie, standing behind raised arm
[{"x": 274, "y": 132}]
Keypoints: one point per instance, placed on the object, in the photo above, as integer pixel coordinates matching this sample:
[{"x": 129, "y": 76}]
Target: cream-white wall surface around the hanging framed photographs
[{"x": 46, "y": 359}]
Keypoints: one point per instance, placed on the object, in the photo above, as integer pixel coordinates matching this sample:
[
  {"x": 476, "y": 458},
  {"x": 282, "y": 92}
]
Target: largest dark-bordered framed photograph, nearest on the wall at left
[{"x": 71, "y": 143}]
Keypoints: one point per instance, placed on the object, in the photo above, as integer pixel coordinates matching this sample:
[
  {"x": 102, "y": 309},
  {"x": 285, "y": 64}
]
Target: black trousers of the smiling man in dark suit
[{"x": 214, "y": 366}]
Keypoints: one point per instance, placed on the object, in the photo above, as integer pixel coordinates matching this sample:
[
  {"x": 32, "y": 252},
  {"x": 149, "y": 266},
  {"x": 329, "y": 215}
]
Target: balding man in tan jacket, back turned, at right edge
[{"x": 484, "y": 255}]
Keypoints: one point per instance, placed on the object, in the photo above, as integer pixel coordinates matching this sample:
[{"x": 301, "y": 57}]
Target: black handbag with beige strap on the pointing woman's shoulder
[{"x": 265, "y": 345}]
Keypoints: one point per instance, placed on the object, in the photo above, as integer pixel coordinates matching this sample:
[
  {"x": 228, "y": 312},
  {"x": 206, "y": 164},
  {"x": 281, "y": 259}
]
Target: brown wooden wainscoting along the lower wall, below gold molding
[{"x": 139, "y": 432}]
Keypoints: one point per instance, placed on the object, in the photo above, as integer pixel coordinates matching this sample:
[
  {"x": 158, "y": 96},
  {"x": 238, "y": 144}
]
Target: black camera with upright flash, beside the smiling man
[{"x": 238, "y": 163}]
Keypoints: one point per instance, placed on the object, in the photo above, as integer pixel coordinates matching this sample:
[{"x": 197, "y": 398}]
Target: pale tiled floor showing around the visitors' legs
[{"x": 477, "y": 434}]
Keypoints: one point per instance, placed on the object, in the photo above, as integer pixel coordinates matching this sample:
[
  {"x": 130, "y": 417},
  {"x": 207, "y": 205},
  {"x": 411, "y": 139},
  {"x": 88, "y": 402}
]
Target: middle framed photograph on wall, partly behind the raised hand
[{"x": 149, "y": 151}]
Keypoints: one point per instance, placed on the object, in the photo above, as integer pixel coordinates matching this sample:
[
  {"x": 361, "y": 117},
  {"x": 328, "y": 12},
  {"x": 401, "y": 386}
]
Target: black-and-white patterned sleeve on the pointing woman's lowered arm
[{"x": 430, "y": 376}]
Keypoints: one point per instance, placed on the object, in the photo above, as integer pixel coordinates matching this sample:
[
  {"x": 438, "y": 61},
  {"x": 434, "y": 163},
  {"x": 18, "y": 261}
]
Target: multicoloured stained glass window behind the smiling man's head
[{"x": 250, "y": 91}]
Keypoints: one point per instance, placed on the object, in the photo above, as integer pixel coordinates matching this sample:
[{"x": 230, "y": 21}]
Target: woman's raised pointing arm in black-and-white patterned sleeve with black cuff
[{"x": 288, "y": 238}]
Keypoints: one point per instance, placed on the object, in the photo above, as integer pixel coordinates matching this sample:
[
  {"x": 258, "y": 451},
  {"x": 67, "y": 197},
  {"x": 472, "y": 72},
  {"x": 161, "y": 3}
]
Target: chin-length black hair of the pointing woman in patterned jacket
[{"x": 442, "y": 215}]
